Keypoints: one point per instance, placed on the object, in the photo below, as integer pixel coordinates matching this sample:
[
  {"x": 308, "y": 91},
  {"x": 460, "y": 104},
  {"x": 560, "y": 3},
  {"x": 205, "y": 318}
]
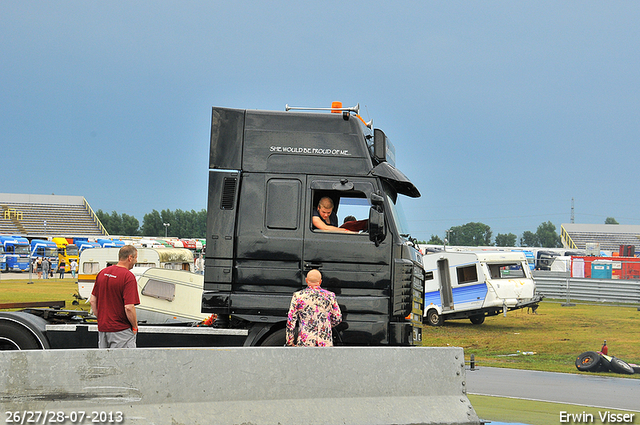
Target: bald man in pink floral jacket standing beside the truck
[{"x": 316, "y": 310}]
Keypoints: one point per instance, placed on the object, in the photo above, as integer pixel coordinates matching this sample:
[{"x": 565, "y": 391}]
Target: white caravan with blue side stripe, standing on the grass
[{"x": 474, "y": 285}]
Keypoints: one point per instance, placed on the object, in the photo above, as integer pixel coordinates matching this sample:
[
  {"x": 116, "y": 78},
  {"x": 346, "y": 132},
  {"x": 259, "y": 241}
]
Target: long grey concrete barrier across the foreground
[{"x": 261, "y": 385}]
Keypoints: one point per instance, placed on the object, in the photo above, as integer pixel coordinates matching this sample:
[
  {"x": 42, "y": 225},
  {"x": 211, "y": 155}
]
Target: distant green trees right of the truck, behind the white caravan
[{"x": 479, "y": 234}]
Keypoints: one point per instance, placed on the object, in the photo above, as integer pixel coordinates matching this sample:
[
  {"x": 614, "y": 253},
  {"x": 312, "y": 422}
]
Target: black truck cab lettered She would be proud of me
[{"x": 267, "y": 172}]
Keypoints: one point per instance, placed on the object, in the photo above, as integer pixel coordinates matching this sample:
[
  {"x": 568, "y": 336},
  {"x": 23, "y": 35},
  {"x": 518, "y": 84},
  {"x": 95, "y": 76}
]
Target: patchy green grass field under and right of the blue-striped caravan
[{"x": 549, "y": 340}]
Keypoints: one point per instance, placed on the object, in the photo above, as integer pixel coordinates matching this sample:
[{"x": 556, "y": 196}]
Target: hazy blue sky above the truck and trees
[{"x": 501, "y": 112}]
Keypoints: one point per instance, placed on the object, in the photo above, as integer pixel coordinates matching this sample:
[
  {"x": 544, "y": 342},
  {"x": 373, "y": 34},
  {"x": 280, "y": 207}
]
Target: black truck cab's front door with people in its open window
[{"x": 352, "y": 266}]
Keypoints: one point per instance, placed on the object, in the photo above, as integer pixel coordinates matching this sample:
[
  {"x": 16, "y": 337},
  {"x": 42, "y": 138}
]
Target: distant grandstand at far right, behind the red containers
[{"x": 609, "y": 236}]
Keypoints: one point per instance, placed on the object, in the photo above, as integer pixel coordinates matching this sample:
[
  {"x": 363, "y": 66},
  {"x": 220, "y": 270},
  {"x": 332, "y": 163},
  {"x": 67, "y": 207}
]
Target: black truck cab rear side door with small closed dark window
[{"x": 268, "y": 244}]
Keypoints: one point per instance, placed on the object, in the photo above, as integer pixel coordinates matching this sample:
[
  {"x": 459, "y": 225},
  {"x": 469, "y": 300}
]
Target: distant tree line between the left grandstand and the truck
[{"x": 181, "y": 224}]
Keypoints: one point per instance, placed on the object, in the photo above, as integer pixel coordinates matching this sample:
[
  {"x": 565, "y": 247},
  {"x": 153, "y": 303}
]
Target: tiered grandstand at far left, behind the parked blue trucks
[{"x": 43, "y": 216}]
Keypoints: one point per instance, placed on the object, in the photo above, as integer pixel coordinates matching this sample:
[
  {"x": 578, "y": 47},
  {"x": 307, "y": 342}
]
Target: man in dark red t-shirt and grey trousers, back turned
[{"x": 113, "y": 301}]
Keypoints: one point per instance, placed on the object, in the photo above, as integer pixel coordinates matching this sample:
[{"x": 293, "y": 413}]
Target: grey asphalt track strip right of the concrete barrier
[{"x": 585, "y": 389}]
